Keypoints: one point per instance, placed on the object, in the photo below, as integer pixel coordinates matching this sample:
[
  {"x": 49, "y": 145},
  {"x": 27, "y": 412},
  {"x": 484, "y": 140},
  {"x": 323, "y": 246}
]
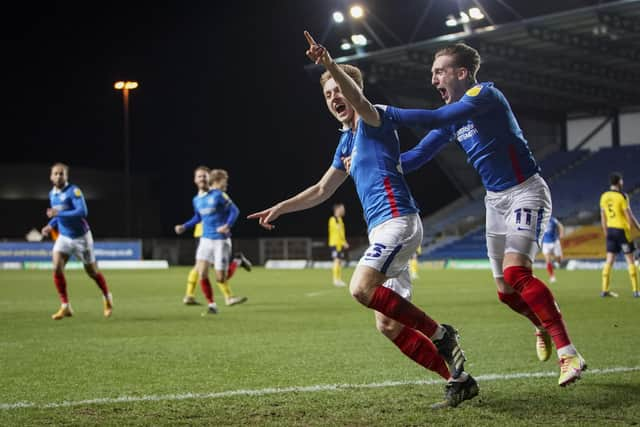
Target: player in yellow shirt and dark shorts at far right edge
[{"x": 616, "y": 219}]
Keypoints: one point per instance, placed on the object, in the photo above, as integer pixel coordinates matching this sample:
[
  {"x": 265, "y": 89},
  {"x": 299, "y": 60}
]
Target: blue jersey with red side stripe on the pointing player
[{"x": 376, "y": 171}]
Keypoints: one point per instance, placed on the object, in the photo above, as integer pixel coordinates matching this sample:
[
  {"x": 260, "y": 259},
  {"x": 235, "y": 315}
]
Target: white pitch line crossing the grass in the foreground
[{"x": 295, "y": 389}]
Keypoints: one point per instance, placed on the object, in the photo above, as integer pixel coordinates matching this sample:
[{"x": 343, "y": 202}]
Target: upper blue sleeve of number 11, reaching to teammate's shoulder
[{"x": 469, "y": 106}]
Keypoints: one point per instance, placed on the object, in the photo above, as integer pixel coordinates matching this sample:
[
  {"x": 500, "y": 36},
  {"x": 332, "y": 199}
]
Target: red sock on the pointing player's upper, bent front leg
[{"x": 399, "y": 309}]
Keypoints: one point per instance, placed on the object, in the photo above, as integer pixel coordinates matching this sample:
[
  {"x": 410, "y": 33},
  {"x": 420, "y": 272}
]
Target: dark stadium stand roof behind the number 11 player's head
[{"x": 583, "y": 60}]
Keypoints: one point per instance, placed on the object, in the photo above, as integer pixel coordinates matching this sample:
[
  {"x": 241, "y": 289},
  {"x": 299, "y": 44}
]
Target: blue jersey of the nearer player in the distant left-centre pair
[{"x": 214, "y": 209}]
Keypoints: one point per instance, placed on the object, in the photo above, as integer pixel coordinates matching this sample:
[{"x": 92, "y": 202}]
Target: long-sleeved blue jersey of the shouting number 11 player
[{"x": 484, "y": 126}]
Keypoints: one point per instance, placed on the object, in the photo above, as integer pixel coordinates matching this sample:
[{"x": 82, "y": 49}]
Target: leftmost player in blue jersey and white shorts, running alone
[{"x": 68, "y": 216}]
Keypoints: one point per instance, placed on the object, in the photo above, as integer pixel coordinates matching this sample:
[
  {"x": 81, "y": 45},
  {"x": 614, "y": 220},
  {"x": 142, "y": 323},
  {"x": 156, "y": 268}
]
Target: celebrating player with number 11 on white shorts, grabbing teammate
[{"x": 518, "y": 202}]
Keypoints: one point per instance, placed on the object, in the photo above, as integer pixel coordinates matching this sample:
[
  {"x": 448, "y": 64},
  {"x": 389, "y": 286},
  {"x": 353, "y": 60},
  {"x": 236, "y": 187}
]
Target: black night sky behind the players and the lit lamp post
[{"x": 222, "y": 84}]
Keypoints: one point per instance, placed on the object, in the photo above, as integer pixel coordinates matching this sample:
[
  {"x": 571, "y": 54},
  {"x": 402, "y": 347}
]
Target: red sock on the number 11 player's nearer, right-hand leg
[{"x": 538, "y": 296}]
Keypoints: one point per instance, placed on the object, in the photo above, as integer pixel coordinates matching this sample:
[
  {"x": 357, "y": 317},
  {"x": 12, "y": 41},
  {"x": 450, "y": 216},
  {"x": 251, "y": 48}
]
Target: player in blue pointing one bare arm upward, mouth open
[{"x": 381, "y": 280}]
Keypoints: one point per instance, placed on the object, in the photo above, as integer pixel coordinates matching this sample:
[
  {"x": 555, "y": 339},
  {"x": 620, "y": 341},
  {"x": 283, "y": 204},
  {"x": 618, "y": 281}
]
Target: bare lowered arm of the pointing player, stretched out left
[{"x": 312, "y": 196}]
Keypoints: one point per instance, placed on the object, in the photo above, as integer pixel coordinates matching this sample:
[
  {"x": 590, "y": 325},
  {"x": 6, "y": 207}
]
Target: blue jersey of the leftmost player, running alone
[{"x": 72, "y": 211}]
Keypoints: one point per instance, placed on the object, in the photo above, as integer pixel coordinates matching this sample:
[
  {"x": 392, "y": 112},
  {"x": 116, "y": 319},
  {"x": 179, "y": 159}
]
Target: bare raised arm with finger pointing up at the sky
[{"x": 349, "y": 88}]
